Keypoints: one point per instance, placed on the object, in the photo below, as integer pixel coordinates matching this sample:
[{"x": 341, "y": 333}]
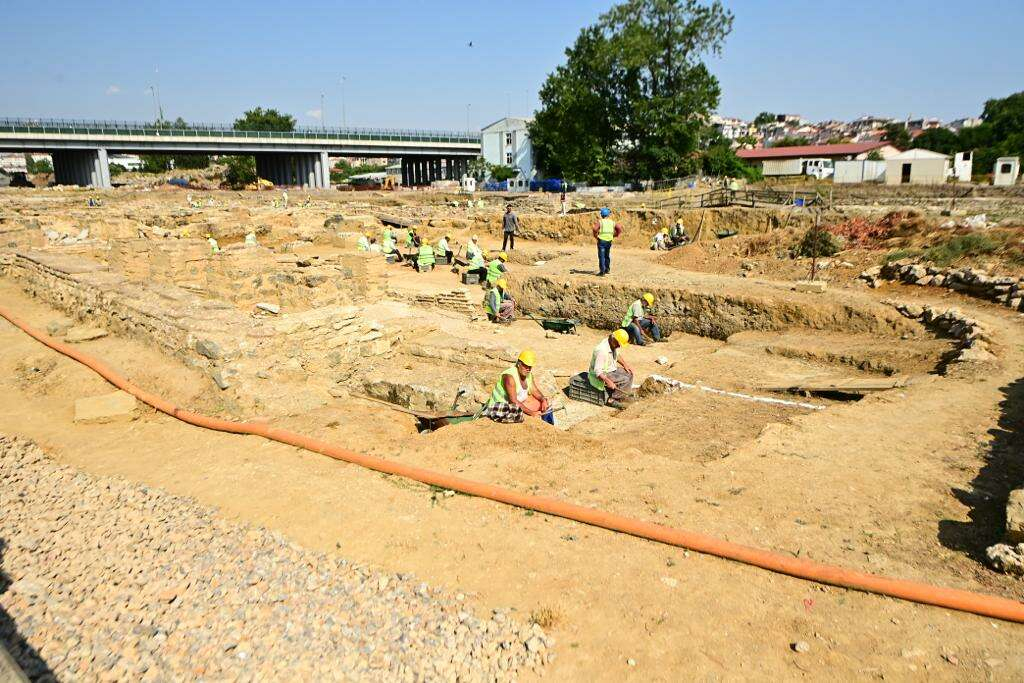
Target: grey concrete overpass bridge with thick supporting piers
[{"x": 80, "y": 149}]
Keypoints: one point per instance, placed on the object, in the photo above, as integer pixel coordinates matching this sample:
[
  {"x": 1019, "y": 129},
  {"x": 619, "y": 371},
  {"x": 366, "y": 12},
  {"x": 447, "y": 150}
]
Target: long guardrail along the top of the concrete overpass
[{"x": 84, "y": 127}]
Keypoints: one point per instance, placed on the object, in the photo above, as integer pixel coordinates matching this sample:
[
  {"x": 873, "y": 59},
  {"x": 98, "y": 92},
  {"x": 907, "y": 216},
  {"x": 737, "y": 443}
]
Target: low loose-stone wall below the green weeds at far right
[{"x": 1006, "y": 290}]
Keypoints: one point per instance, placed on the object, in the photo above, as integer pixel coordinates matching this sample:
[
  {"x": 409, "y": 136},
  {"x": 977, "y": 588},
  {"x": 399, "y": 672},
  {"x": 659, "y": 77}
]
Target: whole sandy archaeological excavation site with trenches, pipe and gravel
[{"x": 856, "y": 417}]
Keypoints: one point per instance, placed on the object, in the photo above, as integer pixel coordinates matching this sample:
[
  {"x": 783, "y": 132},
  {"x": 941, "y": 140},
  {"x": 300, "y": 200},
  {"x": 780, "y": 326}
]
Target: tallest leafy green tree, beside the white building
[{"x": 630, "y": 101}]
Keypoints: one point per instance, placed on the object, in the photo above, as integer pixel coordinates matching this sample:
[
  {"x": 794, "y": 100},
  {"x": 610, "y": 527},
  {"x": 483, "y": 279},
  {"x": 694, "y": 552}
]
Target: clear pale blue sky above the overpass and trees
[{"x": 409, "y": 64}]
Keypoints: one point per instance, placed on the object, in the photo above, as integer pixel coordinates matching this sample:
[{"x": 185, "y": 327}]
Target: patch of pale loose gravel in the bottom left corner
[{"x": 105, "y": 580}]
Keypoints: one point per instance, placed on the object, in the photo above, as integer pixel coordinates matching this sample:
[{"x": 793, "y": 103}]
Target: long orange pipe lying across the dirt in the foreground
[{"x": 968, "y": 602}]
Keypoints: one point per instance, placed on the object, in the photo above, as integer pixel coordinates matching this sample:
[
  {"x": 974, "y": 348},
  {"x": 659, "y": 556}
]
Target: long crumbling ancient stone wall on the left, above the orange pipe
[{"x": 237, "y": 350}]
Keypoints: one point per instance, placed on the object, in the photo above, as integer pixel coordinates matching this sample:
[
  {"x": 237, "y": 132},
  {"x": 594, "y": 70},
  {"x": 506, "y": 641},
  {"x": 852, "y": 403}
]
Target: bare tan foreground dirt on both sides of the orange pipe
[{"x": 874, "y": 486}]
